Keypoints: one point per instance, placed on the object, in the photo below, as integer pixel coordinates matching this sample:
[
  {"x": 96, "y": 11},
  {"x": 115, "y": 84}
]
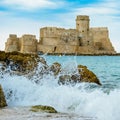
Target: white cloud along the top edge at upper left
[{"x": 32, "y": 4}]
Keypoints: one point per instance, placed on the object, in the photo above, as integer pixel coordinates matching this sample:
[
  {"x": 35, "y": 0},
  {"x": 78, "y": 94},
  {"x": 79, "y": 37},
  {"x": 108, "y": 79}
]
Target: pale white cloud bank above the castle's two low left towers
[{"x": 20, "y": 26}]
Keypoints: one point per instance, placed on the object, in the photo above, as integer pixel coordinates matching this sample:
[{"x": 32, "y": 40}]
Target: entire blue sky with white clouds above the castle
[{"x": 28, "y": 16}]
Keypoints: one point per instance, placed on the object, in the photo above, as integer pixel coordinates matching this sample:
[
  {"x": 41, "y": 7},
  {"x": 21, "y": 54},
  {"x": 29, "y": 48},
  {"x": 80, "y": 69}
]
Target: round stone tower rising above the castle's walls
[{"x": 82, "y": 23}]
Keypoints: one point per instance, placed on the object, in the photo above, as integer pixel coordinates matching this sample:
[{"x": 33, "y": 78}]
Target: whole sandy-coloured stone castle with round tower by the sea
[{"x": 53, "y": 40}]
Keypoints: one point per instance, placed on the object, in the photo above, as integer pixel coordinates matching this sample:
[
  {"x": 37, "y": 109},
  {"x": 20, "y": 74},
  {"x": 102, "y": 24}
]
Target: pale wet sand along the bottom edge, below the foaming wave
[{"x": 24, "y": 113}]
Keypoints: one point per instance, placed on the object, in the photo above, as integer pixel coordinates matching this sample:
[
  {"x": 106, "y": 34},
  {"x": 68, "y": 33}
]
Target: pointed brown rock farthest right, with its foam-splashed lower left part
[{"x": 84, "y": 75}]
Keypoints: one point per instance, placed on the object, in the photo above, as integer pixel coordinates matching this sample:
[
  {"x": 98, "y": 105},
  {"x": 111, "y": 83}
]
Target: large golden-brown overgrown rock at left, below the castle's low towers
[{"x": 19, "y": 61}]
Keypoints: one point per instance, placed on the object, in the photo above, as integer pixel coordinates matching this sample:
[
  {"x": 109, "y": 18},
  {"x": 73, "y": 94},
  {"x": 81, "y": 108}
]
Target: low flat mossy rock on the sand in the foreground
[{"x": 41, "y": 108}]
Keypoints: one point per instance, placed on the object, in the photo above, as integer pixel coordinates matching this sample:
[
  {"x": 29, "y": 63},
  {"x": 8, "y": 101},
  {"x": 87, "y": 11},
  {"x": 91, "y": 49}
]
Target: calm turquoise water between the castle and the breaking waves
[{"x": 107, "y": 68}]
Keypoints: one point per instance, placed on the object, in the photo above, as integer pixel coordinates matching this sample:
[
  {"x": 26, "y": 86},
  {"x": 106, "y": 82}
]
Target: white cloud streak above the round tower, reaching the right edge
[{"x": 104, "y": 8}]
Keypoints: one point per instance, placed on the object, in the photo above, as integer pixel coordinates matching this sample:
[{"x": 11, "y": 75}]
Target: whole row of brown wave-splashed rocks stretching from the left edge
[{"x": 28, "y": 64}]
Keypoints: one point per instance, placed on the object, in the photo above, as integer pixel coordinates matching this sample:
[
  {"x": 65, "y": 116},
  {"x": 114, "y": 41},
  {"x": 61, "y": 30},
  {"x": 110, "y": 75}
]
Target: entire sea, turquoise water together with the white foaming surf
[{"x": 82, "y": 99}]
